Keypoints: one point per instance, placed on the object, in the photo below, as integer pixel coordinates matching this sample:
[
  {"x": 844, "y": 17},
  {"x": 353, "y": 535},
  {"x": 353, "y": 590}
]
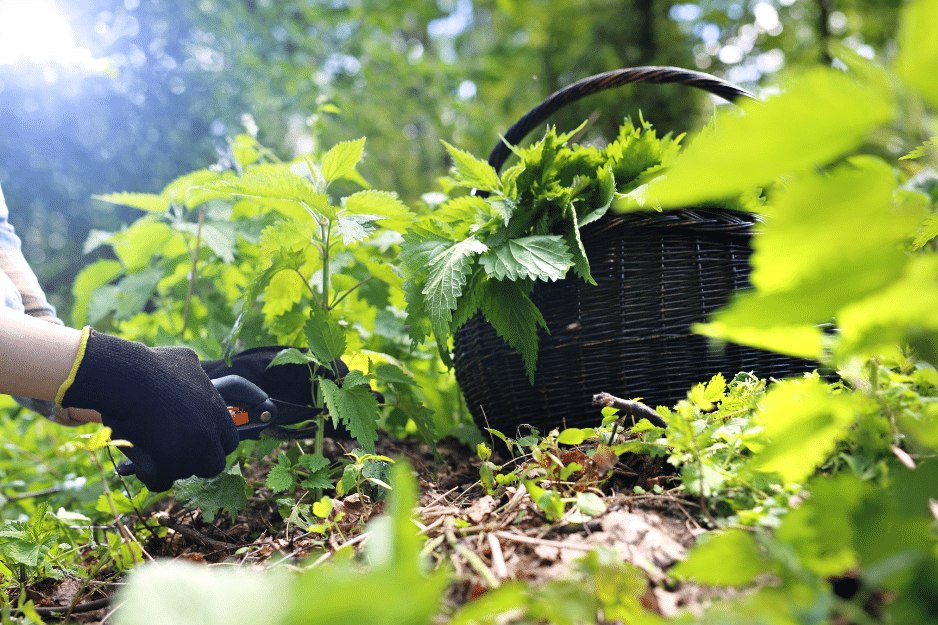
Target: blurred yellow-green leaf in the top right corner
[{"x": 917, "y": 61}]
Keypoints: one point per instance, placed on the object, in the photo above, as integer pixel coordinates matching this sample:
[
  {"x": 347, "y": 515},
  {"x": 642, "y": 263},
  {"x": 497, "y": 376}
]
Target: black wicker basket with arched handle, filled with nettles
[{"x": 629, "y": 335}]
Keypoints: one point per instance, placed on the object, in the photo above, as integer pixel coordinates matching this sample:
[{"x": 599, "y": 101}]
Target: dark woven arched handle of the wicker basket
[{"x": 600, "y": 82}]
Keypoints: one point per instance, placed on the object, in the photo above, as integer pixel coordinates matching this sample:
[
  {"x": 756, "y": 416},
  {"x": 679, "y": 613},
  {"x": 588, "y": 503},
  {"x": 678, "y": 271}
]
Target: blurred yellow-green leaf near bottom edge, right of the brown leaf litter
[{"x": 730, "y": 558}]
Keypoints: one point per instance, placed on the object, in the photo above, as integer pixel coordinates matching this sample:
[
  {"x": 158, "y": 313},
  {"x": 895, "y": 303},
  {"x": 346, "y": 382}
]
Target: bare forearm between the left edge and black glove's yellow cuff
[{"x": 35, "y": 356}]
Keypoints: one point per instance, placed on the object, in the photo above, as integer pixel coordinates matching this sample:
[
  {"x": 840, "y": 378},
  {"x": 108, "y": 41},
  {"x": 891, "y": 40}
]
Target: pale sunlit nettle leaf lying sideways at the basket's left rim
[{"x": 544, "y": 257}]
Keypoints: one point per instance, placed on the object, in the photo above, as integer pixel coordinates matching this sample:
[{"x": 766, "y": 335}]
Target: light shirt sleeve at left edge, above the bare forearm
[{"x": 19, "y": 287}]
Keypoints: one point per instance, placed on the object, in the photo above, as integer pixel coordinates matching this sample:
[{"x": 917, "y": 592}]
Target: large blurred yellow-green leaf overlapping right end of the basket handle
[{"x": 814, "y": 121}]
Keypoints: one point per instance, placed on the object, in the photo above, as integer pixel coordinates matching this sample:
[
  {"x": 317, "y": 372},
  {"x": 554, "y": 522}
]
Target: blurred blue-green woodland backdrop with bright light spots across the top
[{"x": 181, "y": 76}]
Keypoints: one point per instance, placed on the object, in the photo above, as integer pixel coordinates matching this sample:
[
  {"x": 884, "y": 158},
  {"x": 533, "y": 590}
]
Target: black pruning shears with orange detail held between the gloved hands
[{"x": 254, "y": 411}]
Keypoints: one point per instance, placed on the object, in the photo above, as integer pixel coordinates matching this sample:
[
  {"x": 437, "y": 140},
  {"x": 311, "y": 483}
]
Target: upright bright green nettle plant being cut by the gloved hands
[{"x": 302, "y": 266}]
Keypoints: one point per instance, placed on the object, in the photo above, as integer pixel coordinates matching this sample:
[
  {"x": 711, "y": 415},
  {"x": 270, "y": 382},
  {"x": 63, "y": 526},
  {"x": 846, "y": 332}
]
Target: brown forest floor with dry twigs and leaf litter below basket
[{"x": 485, "y": 540}]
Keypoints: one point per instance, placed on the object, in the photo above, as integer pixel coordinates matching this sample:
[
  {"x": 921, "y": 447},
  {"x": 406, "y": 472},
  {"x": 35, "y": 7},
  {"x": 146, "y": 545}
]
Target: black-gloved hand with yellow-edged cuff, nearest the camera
[{"x": 160, "y": 400}]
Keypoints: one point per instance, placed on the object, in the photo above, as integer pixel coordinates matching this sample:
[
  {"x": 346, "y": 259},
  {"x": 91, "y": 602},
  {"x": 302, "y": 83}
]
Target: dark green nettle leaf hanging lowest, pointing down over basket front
[{"x": 515, "y": 318}]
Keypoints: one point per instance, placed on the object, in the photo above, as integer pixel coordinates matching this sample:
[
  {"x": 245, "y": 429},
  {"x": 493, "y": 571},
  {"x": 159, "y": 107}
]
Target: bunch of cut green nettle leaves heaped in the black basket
[{"x": 483, "y": 253}]
